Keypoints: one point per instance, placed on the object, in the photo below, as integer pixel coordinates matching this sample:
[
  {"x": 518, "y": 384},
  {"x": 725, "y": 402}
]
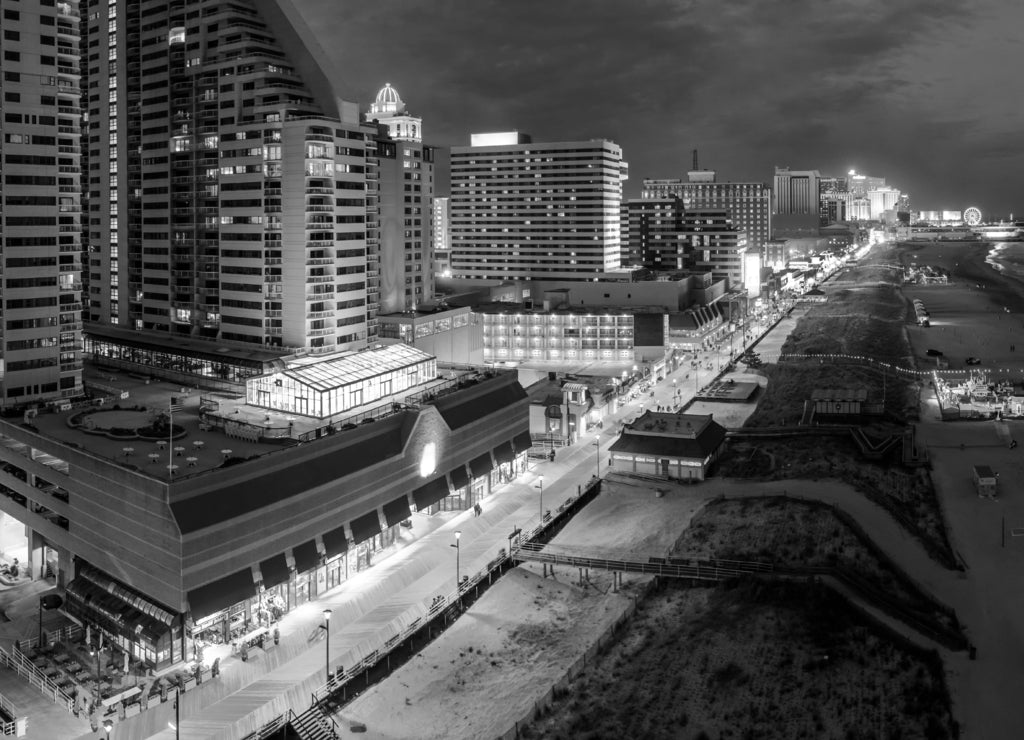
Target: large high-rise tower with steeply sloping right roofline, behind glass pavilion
[{"x": 227, "y": 180}]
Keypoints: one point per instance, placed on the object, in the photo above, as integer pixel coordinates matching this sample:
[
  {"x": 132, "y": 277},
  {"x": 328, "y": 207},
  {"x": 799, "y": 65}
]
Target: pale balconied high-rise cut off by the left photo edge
[{"x": 40, "y": 207}]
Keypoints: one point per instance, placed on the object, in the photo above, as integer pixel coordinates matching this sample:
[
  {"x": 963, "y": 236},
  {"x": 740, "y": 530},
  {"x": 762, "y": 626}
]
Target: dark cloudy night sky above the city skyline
[{"x": 927, "y": 94}]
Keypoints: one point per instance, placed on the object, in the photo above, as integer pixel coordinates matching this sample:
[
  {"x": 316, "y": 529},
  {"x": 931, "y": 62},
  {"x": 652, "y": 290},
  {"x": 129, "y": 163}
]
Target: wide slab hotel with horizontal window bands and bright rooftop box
[{"x": 524, "y": 210}]
